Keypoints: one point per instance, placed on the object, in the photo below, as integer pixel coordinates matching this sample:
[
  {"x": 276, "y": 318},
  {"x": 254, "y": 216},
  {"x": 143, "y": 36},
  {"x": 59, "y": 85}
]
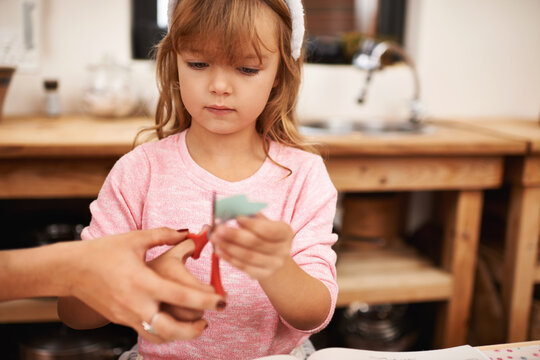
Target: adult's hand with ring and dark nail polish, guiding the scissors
[{"x": 113, "y": 279}]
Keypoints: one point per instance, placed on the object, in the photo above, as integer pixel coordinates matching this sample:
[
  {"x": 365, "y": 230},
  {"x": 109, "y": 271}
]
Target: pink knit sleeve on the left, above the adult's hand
[{"x": 119, "y": 205}]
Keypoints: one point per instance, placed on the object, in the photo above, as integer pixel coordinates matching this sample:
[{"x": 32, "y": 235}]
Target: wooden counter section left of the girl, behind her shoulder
[{"x": 69, "y": 156}]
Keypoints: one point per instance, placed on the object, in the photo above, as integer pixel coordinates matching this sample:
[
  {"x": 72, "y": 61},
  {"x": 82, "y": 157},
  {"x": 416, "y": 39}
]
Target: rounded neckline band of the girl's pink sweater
[{"x": 211, "y": 182}]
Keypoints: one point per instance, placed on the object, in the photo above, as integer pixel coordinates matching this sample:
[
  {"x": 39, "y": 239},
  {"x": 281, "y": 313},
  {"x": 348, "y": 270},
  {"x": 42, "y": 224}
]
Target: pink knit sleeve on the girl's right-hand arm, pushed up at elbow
[{"x": 313, "y": 222}]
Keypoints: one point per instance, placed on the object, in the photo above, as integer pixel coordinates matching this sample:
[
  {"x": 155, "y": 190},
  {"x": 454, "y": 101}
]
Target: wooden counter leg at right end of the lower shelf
[{"x": 462, "y": 226}]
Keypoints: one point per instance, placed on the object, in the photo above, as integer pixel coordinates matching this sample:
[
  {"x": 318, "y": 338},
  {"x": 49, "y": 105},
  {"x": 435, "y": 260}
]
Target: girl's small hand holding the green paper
[{"x": 258, "y": 247}]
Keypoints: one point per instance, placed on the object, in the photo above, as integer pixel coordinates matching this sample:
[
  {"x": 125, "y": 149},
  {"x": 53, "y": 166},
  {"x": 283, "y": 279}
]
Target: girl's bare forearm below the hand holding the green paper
[{"x": 303, "y": 301}]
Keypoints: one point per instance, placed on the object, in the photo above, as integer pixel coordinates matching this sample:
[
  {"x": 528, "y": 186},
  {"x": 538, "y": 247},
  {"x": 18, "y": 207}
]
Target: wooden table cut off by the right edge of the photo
[{"x": 521, "y": 265}]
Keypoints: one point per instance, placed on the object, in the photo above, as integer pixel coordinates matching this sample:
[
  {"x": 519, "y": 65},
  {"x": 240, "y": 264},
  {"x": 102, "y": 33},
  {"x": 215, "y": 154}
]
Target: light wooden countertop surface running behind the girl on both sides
[{"x": 80, "y": 136}]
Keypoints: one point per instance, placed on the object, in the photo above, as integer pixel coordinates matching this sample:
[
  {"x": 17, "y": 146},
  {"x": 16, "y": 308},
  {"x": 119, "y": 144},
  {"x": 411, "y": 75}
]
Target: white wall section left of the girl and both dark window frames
[{"x": 74, "y": 34}]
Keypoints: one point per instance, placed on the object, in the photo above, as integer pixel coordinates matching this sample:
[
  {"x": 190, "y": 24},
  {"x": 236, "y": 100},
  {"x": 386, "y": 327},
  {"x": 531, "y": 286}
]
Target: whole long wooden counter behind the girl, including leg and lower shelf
[{"x": 70, "y": 157}]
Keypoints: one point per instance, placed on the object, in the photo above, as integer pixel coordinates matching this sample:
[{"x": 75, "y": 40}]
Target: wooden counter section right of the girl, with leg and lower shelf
[{"x": 451, "y": 159}]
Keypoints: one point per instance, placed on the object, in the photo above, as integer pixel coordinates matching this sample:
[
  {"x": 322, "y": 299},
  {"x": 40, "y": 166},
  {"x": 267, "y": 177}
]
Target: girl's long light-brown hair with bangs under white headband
[{"x": 231, "y": 25}]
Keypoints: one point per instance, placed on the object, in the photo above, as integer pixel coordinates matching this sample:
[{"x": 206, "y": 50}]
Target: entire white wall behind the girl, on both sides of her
[{"x": 475, "y": 58}]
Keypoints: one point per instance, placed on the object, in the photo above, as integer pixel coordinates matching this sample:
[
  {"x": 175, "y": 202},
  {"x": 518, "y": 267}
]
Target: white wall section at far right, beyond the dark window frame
[{"x": 477, "y": 57}]
